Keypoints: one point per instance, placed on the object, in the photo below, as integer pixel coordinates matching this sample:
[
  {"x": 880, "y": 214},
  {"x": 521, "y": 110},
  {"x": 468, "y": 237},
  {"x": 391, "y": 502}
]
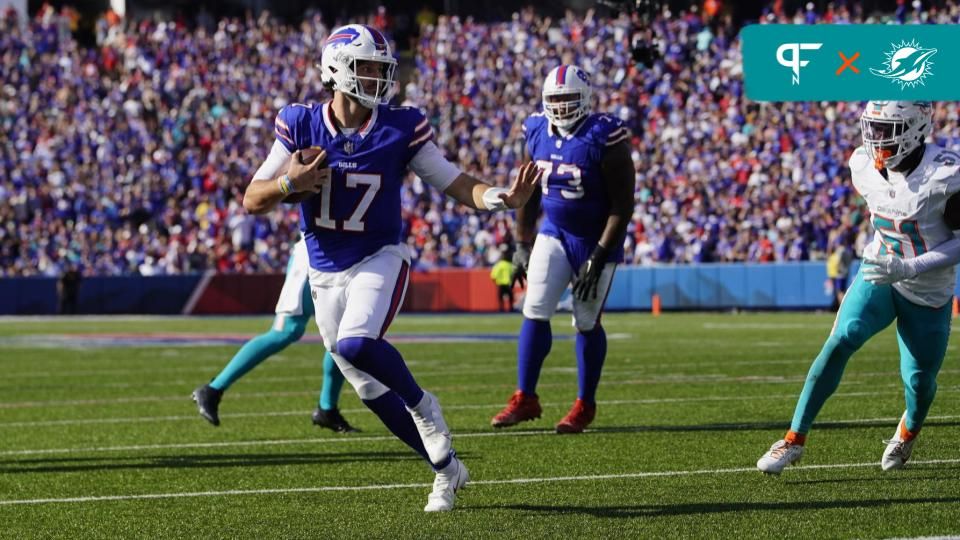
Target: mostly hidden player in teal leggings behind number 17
[{"x": 294, "y": 310}]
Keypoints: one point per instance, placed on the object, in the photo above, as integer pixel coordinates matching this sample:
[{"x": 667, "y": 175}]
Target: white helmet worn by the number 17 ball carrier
[{"x": 354, "y": 43}]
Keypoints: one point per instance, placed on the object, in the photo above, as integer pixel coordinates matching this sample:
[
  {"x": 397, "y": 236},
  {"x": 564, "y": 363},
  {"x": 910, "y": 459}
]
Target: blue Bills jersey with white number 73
[{"x": 575, "y": 201}]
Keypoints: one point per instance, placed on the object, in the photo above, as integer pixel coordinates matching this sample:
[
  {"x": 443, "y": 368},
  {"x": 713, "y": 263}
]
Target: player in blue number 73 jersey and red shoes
[{"x": 587, "y": 199}]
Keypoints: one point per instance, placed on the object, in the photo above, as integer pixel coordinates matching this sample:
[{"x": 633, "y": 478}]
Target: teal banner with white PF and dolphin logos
[{"x": 851, "y": 62}]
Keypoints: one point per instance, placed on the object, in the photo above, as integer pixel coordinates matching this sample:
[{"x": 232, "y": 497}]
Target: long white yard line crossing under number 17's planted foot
[{"x": 476, "y": 483}]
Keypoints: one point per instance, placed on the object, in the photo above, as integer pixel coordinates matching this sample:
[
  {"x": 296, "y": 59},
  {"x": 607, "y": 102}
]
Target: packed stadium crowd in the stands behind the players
[{"x": 132, "y": 156}]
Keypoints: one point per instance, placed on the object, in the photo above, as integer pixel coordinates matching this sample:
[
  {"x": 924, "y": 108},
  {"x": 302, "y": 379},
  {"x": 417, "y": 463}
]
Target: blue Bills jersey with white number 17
[{"x": 358, "y": 213}]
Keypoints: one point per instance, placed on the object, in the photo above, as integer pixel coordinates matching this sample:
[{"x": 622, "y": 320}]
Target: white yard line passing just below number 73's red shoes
[{"x": 378, "y": 438}]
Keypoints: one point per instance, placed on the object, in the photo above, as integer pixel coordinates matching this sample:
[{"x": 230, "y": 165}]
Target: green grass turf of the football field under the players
[{"x": 695, "y": 397}]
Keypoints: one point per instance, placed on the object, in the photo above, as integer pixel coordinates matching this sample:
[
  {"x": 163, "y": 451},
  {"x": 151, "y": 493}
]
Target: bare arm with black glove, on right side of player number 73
[{"x": 620, "y": 179}]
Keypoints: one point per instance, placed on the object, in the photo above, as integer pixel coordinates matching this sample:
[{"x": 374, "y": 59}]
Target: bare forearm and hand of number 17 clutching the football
[{"x": 300, "y": 181}]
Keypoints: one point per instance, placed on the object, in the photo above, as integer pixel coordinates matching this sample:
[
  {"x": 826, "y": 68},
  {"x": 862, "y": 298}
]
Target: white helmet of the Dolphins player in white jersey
[{"x": 893, "y": 129}]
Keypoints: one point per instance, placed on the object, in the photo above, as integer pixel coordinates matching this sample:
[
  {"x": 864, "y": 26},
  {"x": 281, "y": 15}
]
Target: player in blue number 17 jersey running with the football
[{"x": 349, "y": 195}]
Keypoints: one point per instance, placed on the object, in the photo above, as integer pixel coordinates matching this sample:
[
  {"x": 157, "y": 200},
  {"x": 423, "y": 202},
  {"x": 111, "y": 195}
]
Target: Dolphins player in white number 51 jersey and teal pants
[{"x": 910, "y": 187}]
